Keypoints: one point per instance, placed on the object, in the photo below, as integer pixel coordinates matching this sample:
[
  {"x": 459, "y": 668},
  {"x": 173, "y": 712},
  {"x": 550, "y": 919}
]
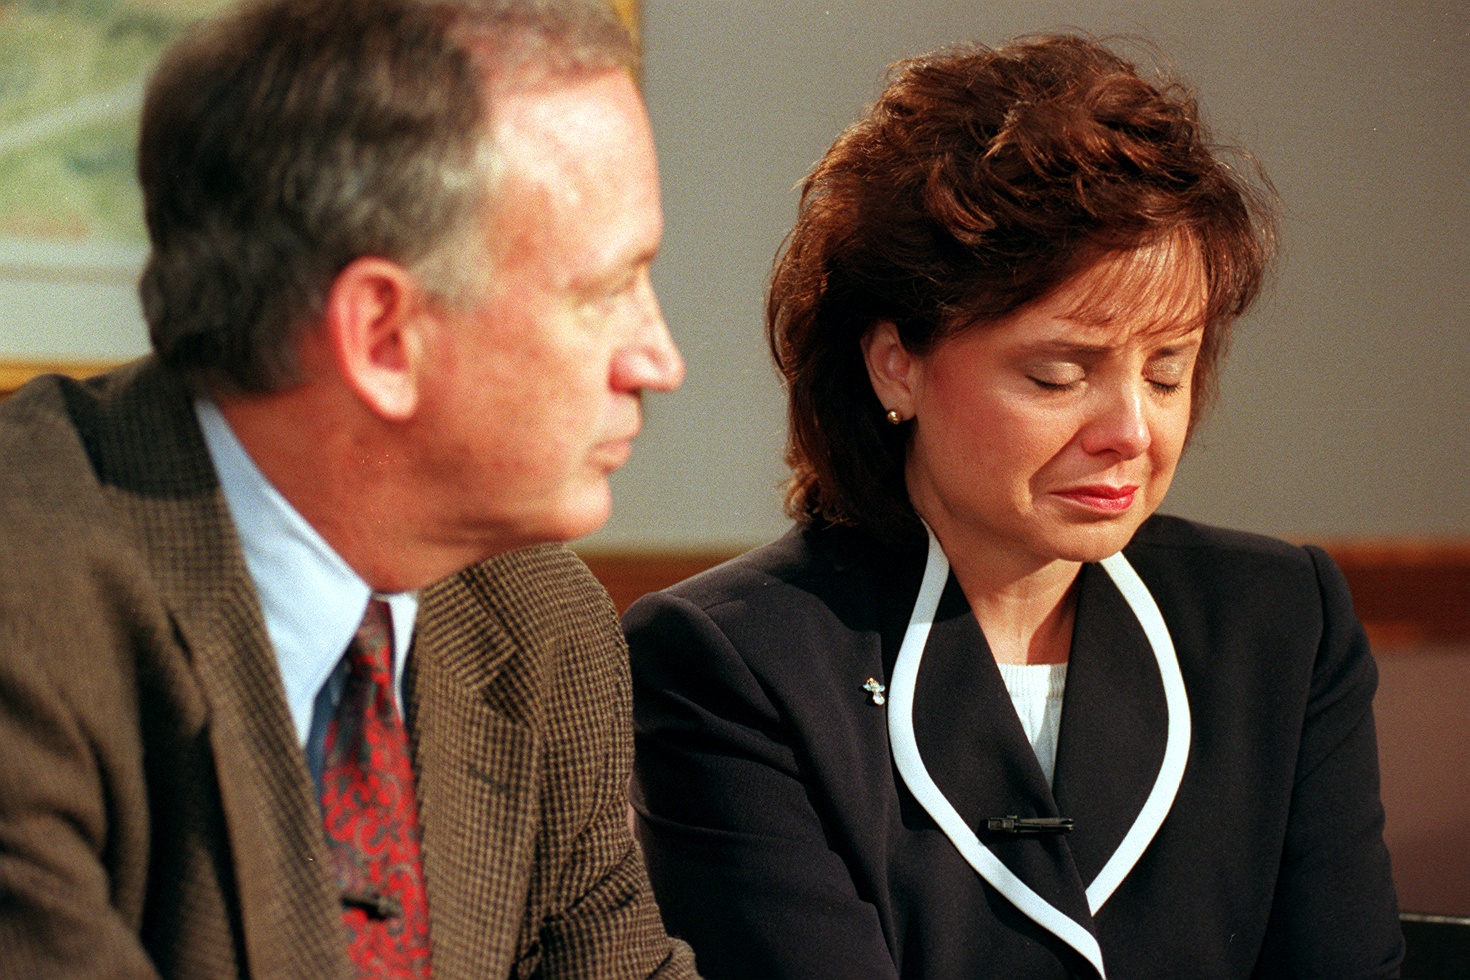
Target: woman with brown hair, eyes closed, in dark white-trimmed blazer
[{"x": 983, "y": 713}]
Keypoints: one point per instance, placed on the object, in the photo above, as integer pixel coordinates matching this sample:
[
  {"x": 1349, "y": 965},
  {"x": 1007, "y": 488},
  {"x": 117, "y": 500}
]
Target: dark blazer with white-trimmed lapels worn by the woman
[{"x": 786, "y": 843}]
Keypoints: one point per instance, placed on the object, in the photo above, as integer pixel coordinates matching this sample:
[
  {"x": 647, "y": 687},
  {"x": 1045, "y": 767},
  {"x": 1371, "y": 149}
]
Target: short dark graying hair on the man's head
[{"x": 287, "y": 139}]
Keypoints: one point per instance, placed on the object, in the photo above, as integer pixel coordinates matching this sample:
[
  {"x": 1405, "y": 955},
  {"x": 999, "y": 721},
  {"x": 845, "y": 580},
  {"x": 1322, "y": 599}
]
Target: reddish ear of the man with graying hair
[{"x": 376, "y": 323}]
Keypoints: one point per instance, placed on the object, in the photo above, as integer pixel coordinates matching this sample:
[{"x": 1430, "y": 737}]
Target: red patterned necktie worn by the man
[{"x": 373, "y": 824}]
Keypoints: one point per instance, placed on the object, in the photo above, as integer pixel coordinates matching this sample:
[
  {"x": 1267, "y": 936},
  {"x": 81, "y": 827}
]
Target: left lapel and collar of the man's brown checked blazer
[{"x": 155, "y": 462}]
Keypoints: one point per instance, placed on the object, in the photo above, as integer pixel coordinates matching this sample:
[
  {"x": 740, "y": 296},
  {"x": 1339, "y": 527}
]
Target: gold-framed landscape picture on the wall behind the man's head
[{"x": 71, "y": 220}]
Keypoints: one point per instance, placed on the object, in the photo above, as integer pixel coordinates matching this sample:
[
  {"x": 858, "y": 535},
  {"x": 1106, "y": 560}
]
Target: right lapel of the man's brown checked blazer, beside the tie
[{"x": 474, "y": 712}]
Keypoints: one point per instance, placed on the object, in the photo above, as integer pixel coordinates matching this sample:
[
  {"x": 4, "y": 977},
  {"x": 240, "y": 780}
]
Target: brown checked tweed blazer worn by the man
[{"x": 157, "y": 815}]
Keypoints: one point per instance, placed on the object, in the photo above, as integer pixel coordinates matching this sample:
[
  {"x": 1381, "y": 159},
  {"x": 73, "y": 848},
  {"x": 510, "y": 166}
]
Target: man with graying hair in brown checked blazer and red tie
[{"x": 292, "y": 681}]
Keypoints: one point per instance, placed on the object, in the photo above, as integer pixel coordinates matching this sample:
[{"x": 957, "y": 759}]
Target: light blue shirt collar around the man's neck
[{"x": 311, "y": 599}]
